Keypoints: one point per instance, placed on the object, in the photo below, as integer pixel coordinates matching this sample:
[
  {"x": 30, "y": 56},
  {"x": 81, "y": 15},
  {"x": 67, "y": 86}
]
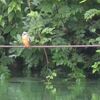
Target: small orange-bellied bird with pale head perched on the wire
[{"x": 26, "y": 39}]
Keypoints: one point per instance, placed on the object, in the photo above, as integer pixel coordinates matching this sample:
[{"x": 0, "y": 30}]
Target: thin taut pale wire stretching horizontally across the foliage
[{"x": 50, "y": 46}]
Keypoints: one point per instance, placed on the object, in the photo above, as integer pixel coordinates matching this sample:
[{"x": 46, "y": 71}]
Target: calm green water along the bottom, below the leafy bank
[{"x": 37, "y": 90}]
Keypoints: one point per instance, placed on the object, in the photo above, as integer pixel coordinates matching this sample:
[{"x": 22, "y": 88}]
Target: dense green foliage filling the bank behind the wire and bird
[{"x": 51, "y": 22}]
